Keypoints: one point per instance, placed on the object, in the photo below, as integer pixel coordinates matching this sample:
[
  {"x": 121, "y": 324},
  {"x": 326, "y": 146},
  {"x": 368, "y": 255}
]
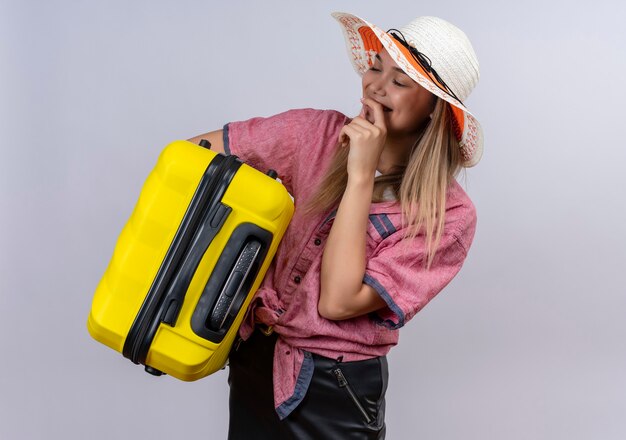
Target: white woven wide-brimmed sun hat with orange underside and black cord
[{"x": 435, "y": 54}]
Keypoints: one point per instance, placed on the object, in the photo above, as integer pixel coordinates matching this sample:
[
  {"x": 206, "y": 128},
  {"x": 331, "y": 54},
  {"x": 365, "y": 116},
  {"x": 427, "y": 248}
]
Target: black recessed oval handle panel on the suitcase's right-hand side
[{"x": 230, "y": 281}]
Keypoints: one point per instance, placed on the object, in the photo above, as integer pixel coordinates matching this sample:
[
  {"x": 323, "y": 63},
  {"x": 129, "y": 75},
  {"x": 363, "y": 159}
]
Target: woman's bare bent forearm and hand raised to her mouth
[{"x": 343, "y": 294}]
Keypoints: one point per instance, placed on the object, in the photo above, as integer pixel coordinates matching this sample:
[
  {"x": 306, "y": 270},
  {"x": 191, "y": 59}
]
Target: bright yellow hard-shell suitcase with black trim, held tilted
[{"x": 187, "y": 263}]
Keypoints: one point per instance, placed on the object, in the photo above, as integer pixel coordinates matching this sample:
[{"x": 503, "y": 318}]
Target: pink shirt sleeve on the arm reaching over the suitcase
[{"x": 284, "y": 142}]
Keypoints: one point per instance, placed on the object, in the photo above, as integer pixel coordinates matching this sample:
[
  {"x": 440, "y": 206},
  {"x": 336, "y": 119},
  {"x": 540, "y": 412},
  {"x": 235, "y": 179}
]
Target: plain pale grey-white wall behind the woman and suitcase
[{"x": 528, "y": 342}]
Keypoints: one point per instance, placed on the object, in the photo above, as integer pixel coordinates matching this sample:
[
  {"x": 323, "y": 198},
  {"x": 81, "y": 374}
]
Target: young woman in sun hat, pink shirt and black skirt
[{"x": 380, "y": 227}]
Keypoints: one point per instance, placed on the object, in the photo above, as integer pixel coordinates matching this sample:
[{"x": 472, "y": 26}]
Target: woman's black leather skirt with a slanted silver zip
[{"x": 345, "y": 400}]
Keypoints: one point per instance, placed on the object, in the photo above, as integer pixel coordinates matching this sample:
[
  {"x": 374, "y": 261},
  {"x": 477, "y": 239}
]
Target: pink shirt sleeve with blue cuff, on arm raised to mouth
[{"x": 396, "y": 271}]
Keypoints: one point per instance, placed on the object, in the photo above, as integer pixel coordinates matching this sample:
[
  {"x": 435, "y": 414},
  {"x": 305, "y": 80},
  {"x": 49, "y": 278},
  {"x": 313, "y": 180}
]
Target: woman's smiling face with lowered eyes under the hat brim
[{"x": 406, "y": 104}]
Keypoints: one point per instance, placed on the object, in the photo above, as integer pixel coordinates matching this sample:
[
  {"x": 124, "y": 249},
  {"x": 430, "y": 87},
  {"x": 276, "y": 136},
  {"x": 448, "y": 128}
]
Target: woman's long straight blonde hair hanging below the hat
[{"x": 420, "y": 187}]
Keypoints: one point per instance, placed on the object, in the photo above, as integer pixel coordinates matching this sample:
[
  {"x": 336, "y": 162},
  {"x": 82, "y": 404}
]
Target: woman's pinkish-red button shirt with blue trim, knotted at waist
[{"x": 299, "y": 144}]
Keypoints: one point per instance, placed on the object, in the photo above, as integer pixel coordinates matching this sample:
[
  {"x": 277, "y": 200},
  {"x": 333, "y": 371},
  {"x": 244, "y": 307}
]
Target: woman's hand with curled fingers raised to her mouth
[{"x": 365, "y": 139}]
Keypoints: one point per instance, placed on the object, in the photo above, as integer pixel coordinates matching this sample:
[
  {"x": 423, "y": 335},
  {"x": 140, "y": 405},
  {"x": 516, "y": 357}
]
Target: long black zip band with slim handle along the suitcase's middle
[{"x": 202, "y": 221}]
